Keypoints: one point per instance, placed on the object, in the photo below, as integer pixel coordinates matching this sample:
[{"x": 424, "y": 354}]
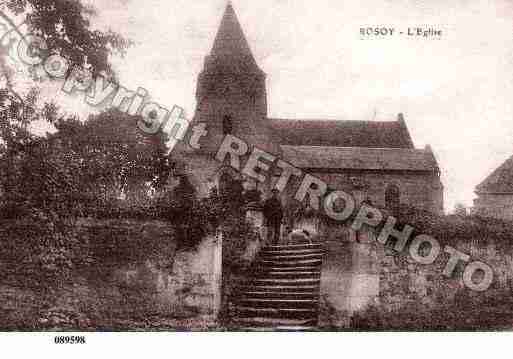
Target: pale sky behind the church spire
[{"x": 456, "y": 91}]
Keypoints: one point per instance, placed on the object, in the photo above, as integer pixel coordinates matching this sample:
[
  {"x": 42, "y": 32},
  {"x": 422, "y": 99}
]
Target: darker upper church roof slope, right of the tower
[{"x": 390, "y": 134}]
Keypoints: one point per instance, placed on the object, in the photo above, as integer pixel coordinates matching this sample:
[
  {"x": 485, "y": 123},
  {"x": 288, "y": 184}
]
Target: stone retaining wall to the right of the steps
[{"x": 365, "y": 285}]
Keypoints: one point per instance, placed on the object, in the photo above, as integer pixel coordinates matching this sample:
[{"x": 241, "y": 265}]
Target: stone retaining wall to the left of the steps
[{"x": 135, "y": 278}]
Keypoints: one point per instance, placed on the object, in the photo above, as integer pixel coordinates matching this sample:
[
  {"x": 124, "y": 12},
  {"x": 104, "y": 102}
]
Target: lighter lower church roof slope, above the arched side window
[{"x": 360, "y": 158}]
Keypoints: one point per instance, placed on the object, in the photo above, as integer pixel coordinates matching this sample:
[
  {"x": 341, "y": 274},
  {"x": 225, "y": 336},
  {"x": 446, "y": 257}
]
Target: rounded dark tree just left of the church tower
[{"x": 116, "y": 157}]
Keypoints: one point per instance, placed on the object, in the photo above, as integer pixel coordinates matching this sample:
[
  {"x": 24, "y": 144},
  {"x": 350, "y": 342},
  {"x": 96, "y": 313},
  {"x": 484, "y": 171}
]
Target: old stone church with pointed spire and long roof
[{"x": 375, "y": 161}]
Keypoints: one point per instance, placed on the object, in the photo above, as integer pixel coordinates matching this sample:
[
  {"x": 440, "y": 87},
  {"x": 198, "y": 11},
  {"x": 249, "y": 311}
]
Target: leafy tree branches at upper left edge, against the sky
[{"x": 66, "y": 28}]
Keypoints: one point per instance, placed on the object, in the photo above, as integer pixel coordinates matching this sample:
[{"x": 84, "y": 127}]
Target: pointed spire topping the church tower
[{"x": 230, "y": 39}]
